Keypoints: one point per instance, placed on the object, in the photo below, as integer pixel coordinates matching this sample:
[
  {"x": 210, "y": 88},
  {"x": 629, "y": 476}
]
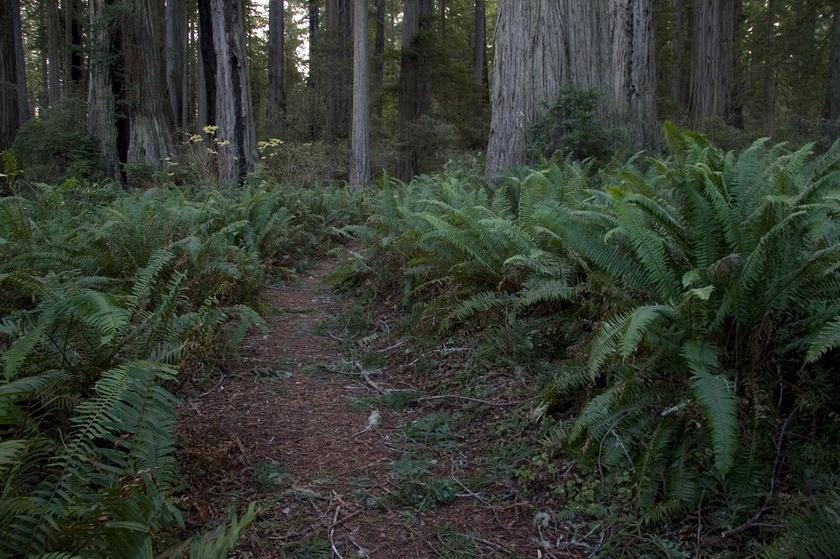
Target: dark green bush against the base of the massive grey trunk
[{"x": 572, "y": 127}]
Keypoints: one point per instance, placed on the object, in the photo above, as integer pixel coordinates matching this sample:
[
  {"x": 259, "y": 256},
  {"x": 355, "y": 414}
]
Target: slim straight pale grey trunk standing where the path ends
[{"x": 360, "y": 158}]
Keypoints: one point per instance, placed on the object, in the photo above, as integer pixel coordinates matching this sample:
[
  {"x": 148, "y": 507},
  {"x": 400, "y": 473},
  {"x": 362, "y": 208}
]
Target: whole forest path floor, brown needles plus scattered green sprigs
[{"x": 340, "y": 464}]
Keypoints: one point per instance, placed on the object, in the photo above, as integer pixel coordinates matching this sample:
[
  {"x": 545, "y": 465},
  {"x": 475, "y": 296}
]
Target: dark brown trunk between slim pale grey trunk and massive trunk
[{"x": 415, "y": 95}]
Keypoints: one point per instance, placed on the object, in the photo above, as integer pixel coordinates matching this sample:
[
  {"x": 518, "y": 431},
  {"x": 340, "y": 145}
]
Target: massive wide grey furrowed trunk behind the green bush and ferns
[{"x": 605, "y": 45}]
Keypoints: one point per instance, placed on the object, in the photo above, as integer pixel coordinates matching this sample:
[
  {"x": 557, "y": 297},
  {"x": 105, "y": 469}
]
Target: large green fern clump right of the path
[{"x": 710, "y": 284}]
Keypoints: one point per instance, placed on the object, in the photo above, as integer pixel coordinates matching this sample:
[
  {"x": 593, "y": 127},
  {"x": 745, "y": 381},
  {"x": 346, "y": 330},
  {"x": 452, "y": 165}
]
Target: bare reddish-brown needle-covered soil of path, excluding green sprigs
[{"x": 278, "y": 428}]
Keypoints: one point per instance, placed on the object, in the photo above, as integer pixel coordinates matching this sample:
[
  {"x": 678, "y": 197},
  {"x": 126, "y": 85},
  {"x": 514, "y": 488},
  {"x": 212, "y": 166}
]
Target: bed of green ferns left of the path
[{"x": 104, "y": 294}]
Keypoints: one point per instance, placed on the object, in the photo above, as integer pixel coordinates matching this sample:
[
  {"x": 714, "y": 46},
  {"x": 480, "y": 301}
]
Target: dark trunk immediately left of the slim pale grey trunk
[{"x": 339, "y": 68}]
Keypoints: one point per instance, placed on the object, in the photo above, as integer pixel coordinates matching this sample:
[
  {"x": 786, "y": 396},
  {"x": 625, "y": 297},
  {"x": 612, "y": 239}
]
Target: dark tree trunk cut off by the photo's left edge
[{"x": 14, "y": 102}]
